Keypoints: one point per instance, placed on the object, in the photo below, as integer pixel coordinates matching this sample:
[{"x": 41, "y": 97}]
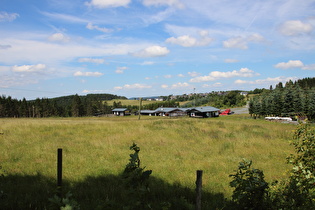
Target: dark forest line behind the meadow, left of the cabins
[{"x": 67, "y": 106}]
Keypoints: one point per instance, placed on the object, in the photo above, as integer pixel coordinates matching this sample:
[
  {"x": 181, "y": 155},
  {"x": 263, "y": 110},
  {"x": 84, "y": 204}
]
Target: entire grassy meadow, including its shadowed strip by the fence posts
[{"x": 96, "y": 151}]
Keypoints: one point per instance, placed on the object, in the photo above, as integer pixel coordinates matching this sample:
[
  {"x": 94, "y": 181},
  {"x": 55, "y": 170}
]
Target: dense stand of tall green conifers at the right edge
[{"x": 294, "y": 99}]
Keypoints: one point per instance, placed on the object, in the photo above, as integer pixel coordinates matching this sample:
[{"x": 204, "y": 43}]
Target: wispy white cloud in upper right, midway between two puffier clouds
[{"x": 242, "y": 42}]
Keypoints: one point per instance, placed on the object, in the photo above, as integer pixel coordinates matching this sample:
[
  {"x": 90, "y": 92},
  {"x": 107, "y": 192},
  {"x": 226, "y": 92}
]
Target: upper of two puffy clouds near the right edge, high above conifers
[{"x": 295, "y": 28}]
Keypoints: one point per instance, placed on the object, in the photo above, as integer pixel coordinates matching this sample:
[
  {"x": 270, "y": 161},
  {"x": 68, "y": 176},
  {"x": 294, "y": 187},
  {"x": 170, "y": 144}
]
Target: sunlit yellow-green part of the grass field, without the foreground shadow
[{"x": 174, "y": 148}]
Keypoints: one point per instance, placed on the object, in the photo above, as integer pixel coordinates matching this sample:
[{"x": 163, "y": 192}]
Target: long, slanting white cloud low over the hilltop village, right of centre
[{"x": 243, "y": 72}]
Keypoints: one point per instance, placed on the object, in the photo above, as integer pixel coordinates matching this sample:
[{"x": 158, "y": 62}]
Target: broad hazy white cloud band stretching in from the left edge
[{"x": 53, "y": 53}]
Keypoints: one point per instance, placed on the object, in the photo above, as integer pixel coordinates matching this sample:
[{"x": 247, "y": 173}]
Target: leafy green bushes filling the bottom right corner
[{"x": 297, "y": 192}]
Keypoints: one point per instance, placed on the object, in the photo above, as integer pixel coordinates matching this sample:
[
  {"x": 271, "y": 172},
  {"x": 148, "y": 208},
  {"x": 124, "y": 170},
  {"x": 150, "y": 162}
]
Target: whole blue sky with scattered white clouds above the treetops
[{"x": 137, "y": 48}]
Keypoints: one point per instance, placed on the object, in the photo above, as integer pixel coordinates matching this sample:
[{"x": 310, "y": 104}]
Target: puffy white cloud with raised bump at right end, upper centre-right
[{"x": 188, "y": 41}]
